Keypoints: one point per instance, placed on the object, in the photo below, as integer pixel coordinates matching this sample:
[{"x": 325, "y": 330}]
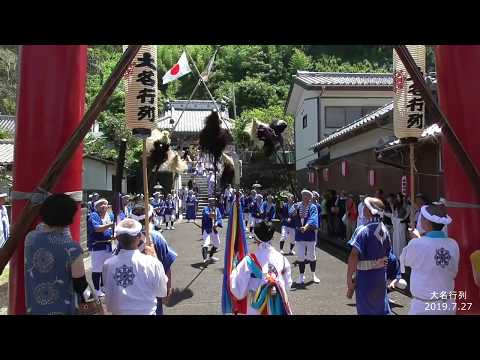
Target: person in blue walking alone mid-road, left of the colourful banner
[{"x": 211, "y": 222}]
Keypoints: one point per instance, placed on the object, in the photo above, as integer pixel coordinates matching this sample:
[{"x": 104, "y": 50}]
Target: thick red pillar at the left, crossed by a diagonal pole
[{"x": 51, "y": 103}]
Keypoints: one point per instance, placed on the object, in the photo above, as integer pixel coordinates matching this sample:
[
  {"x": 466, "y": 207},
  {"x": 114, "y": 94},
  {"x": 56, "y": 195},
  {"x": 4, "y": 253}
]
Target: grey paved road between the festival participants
[{"x": 198, "y": 289}]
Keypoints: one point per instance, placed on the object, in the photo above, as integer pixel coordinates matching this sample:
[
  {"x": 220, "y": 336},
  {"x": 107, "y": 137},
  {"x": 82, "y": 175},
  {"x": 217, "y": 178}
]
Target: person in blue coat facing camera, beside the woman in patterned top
[{"x": 99, "y": 237}]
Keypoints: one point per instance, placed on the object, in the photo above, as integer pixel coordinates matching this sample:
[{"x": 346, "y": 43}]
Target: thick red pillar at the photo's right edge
[{"x": 459, "y": 88}]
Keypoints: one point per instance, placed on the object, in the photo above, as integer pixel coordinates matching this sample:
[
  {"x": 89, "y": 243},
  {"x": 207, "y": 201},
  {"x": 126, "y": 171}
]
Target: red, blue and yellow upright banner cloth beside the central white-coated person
[{"x": 235, "y": 250}]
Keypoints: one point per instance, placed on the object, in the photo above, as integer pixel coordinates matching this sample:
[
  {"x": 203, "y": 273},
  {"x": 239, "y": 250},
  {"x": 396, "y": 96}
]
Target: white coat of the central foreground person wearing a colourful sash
[{"x": 242, "y": 284}]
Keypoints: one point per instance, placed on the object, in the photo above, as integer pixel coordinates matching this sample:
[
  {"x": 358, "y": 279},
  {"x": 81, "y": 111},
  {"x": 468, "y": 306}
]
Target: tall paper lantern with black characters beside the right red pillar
[{"x": 409, "y": 106}]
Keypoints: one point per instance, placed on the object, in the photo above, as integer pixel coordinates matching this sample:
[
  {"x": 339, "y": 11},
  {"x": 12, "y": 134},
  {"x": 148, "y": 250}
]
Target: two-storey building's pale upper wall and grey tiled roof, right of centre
[{"x": 322, "y": 103}]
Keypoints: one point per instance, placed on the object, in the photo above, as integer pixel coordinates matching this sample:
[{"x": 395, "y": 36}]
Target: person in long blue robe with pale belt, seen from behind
[{"x": 368, "y": 261}]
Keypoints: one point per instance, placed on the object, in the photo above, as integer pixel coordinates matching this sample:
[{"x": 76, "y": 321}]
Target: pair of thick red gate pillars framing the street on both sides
[{"x": 51, "y": 103}]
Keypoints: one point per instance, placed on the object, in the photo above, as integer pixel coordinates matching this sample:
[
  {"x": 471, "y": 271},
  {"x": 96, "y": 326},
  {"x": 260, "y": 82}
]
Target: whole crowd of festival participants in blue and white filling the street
[{"x": 377, "y": 228}]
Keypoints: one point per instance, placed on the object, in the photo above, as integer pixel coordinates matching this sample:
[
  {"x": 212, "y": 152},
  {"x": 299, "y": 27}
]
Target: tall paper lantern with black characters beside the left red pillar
[{"x": 141, "y": 91}]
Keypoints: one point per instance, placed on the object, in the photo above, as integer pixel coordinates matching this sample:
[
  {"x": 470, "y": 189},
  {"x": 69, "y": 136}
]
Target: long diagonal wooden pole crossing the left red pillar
[{"x": 30, "y": 212}]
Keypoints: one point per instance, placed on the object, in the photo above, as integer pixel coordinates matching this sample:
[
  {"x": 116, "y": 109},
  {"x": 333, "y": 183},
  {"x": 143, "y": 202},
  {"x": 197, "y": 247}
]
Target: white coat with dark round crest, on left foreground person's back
[{"x": 133, "y": 281}]
